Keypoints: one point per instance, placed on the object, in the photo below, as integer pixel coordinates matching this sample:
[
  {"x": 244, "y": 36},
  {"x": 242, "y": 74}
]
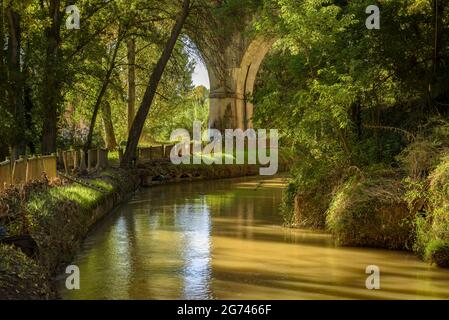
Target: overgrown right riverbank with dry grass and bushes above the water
[{"x": 380, "y": 207}]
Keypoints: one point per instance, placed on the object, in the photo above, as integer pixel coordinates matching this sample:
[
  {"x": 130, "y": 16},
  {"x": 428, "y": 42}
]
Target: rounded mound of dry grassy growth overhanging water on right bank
[{"x": 368, "y": 210}]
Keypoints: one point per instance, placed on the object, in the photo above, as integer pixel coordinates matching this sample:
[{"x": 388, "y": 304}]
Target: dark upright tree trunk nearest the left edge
[{"x": 15, "y": 96}]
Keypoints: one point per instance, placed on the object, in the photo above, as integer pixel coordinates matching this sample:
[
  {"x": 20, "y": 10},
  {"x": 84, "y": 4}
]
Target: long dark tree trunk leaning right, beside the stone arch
[{"x": 142, "y": 113}]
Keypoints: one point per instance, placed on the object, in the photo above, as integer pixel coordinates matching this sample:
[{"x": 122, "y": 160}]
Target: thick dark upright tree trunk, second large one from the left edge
[{"x": 51, "y": 93}]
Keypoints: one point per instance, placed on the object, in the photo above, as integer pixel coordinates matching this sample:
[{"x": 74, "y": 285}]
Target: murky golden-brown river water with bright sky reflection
[{"x": 224, "y": 240}]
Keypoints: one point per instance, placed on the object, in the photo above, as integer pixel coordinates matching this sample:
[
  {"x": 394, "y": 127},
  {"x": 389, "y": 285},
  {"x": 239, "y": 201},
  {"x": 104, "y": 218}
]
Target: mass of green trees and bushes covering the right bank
[{"x": 346, "y": 97}]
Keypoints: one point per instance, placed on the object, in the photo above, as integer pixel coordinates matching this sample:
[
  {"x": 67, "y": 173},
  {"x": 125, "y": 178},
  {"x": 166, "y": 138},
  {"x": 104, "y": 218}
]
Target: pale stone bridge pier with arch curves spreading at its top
[{"x": 233, "y": 62}]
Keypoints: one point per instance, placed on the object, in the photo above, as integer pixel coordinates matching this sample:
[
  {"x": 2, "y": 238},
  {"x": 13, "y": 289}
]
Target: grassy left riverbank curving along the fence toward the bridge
[{"x": 58, "y": 215}]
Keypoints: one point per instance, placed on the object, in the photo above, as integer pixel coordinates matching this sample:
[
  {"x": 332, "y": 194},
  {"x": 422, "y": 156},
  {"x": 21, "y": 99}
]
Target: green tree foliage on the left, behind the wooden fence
[{"x": 72, "y": 73}]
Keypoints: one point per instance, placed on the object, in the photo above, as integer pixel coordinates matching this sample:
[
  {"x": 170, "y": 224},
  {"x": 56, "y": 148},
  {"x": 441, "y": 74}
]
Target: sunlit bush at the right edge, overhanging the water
[{"x": 427, "y": 183}]
